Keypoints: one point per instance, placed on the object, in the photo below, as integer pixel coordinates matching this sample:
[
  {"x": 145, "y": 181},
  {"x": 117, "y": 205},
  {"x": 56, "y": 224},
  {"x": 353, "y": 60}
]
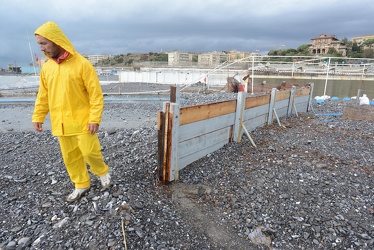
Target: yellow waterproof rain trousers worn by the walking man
[{"x": 77, "y": 150}]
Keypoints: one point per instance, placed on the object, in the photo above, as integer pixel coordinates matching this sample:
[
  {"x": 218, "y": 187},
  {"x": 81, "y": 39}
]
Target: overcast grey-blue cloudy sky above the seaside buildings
[{"x": 142, "y": 26}]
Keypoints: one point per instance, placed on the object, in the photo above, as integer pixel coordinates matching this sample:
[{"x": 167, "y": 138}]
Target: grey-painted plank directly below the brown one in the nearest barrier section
[{"x": 199, "y": 128}]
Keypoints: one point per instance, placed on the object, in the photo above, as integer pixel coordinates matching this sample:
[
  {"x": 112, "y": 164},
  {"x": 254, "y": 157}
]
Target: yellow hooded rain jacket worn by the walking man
[{"x": 69, "y": 91}]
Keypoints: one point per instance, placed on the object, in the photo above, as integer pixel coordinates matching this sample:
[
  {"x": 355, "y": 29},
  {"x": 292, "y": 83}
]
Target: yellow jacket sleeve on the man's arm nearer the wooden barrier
[{"x": 96, "y": 98}]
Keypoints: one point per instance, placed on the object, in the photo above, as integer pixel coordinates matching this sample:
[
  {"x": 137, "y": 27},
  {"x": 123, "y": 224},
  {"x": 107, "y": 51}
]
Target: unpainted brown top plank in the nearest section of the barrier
[{"x": 207, "y": 111}]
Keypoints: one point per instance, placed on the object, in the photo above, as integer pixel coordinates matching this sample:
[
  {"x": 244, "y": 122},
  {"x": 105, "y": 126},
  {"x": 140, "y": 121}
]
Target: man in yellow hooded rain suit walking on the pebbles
[{"x": 70, "y": 91}]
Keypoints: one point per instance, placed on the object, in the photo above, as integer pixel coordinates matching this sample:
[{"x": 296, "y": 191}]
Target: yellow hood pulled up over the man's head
[{"x": 52, "y": 32}]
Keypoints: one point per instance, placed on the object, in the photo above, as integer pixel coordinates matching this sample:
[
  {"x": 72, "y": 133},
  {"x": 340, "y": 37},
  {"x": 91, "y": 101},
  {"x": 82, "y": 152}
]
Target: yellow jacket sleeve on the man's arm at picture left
[{"x": 41, "y": 107}]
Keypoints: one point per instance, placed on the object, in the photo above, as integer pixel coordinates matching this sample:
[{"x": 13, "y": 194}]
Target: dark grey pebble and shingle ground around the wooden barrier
[{"x": 308, "y": 185}]
